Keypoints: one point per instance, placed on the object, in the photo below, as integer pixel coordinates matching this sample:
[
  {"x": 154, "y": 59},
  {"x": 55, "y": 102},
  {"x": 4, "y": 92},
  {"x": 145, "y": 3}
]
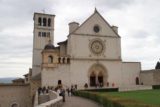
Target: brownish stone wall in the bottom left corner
[{"x": 15, "y": 94}]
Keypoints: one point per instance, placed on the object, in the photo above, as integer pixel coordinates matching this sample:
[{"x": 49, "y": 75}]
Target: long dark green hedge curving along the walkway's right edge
[{"x": 110, "y": 101}]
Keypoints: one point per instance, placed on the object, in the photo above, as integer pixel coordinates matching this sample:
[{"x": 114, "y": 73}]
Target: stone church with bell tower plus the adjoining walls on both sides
[{"x": 91, "y": 55}]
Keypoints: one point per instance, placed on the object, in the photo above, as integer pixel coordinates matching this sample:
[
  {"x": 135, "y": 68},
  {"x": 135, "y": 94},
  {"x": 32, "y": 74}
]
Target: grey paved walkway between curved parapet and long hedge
[{"x": 74, "y": 101}]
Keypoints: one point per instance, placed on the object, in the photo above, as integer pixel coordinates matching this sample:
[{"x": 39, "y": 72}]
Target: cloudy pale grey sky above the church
[{"x": 137, "y": 20}]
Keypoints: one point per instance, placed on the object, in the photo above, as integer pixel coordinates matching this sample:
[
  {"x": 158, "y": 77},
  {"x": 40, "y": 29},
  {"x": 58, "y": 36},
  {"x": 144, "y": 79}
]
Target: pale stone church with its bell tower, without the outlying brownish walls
[{"x": 90, "y": 55}]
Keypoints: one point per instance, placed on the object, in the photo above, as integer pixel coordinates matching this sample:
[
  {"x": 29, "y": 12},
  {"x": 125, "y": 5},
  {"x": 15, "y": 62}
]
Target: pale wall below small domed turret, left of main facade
[{"x": 50, "y": 76}]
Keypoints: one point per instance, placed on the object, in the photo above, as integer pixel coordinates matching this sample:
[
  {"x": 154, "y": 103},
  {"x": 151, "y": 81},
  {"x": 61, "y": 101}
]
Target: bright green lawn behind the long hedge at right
[{"x": 145, "y": 96}]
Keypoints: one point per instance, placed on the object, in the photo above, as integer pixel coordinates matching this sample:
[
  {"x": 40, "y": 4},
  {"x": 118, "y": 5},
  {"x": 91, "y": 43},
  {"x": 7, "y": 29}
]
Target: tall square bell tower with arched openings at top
[{"x": 42, "y": 33}]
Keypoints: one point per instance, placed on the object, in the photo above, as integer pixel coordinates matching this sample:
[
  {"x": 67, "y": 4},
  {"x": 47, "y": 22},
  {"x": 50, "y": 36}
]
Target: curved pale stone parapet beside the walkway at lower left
[{"x": 54, "y": 100}]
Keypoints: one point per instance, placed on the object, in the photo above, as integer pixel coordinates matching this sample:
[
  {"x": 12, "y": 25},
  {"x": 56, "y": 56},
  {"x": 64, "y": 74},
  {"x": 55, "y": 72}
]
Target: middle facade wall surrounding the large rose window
[{"x": 79, "y": 47}]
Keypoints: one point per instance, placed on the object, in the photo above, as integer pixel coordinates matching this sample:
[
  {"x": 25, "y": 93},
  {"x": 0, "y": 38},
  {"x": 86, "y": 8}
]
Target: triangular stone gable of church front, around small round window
[{"x": 87, "y": 27}]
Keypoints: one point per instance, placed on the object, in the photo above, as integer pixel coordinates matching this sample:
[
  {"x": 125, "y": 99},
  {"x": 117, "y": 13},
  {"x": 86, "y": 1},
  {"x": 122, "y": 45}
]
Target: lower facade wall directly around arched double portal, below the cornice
[{"x": 80, "y": 71}]
